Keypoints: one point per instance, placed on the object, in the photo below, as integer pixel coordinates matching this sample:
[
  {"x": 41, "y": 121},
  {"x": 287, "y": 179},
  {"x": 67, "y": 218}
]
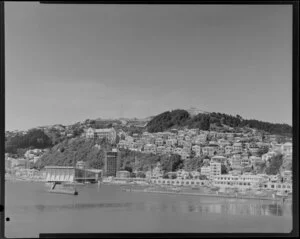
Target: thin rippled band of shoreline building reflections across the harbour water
[{"x": 233, "y": 208}]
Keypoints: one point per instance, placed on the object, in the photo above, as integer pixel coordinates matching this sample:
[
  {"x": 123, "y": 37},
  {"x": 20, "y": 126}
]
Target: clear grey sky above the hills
[{"x": 68, "y": 63}]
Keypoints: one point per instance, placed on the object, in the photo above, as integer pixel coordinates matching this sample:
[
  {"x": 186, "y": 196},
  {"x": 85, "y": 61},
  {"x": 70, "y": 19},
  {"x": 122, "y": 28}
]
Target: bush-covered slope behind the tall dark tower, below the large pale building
[{"x": 86, "y": 150}]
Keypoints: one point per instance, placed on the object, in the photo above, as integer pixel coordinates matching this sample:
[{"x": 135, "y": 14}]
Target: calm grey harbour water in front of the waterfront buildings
[{"x": 32, "y": 210}]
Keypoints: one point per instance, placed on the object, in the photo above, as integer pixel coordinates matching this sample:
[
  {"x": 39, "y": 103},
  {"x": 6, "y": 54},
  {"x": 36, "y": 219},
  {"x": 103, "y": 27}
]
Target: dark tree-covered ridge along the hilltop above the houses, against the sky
[{"x": 182, "y": 118}]
